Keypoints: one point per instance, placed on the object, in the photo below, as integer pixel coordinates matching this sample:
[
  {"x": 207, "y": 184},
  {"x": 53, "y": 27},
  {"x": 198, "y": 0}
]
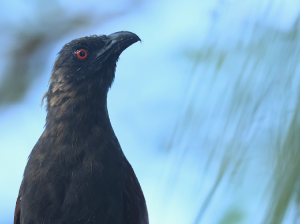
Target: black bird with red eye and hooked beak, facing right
[{"x": 77, "y": 172}]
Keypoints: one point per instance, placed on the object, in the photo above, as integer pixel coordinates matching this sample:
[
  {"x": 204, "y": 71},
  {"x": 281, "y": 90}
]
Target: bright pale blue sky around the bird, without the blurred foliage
[{"x": 146, "y": 99}]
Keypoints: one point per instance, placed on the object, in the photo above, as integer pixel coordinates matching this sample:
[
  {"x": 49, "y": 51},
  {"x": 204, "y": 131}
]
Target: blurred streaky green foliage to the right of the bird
[{"x": 255, "y": 83}]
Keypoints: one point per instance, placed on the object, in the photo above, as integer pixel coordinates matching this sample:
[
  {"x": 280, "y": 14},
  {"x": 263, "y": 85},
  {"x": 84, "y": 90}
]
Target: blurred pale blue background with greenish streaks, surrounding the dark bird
[{"x": 206, "y": 108}]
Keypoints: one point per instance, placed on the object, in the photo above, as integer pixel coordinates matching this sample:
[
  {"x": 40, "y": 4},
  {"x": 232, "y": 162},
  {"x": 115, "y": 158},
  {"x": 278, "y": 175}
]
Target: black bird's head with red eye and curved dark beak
[{"x": 86, "y": 66}]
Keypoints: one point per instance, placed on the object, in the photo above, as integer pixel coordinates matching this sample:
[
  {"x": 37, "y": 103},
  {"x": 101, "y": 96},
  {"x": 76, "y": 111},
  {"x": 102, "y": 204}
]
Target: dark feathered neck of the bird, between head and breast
[{"x": 77, "y": 117}]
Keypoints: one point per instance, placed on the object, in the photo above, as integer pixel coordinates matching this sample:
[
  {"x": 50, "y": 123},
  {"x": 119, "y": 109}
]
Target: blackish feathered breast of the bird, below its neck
[{"x": 74, "y": 182}]
